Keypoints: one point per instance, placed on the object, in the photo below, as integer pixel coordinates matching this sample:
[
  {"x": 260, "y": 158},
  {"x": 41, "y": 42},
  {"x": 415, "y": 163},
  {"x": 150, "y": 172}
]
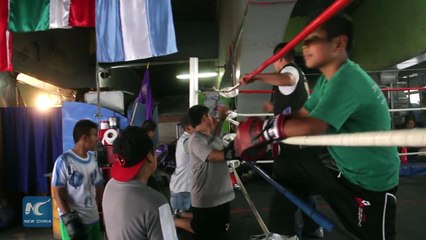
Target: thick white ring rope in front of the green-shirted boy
[{"x": 404, "y": 138}]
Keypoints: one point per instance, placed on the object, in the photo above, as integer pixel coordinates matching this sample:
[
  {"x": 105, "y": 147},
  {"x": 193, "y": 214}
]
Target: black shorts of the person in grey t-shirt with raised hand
[{"x": 211, "y": 223}]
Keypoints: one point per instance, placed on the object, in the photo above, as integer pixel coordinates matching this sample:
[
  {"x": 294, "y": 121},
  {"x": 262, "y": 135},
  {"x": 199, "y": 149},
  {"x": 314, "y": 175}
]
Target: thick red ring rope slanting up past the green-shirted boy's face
[{"x": 318, "y": 21}]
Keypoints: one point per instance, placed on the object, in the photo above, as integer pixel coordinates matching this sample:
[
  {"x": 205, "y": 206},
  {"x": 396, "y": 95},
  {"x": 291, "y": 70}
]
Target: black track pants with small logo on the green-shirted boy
[{"x": 366, "y": 214}]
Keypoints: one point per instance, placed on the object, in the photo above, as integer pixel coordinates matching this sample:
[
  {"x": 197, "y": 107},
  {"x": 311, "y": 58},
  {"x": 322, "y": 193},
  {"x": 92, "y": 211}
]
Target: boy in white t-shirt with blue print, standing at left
[{"x": 78, "y": 184}]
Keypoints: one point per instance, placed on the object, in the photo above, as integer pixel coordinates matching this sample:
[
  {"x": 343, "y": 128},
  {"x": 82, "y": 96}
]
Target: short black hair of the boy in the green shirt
[{"x": 340, "y": 24}]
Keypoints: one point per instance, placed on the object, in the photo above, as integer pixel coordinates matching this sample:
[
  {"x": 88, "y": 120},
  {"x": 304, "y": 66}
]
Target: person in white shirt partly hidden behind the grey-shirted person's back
[{"x": 181, "y": 179}]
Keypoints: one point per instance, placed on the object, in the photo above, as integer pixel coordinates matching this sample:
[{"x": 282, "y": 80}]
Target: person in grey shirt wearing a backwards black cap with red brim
[{"x": 131, "y": 209}]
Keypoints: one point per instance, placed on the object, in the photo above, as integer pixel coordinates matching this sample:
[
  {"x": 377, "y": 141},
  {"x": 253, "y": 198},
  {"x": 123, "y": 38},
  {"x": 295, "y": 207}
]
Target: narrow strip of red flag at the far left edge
[{"x": 5, "y": 39}]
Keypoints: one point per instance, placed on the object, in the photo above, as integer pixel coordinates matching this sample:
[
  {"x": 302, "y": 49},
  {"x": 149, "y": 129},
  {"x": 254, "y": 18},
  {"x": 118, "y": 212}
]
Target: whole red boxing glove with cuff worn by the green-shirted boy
[{"x": 254, "y": 134}]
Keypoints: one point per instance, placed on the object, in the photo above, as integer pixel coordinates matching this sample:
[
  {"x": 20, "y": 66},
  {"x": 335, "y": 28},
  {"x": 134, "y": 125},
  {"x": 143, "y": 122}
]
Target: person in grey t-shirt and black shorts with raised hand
[{"x": 212, "y": 190}]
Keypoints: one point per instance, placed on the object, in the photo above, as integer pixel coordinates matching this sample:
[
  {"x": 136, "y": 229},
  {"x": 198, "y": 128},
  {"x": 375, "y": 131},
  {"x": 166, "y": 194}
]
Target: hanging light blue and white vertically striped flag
[{"x": 134, "y": 29}]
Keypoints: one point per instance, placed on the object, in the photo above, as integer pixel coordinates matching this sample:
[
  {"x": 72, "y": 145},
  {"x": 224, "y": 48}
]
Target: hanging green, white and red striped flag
[{"x": 40, "y": 15}]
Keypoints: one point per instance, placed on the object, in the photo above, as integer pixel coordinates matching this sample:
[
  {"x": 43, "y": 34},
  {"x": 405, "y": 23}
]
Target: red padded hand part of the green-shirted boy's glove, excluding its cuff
[{"x": 250, "y": 143}]
